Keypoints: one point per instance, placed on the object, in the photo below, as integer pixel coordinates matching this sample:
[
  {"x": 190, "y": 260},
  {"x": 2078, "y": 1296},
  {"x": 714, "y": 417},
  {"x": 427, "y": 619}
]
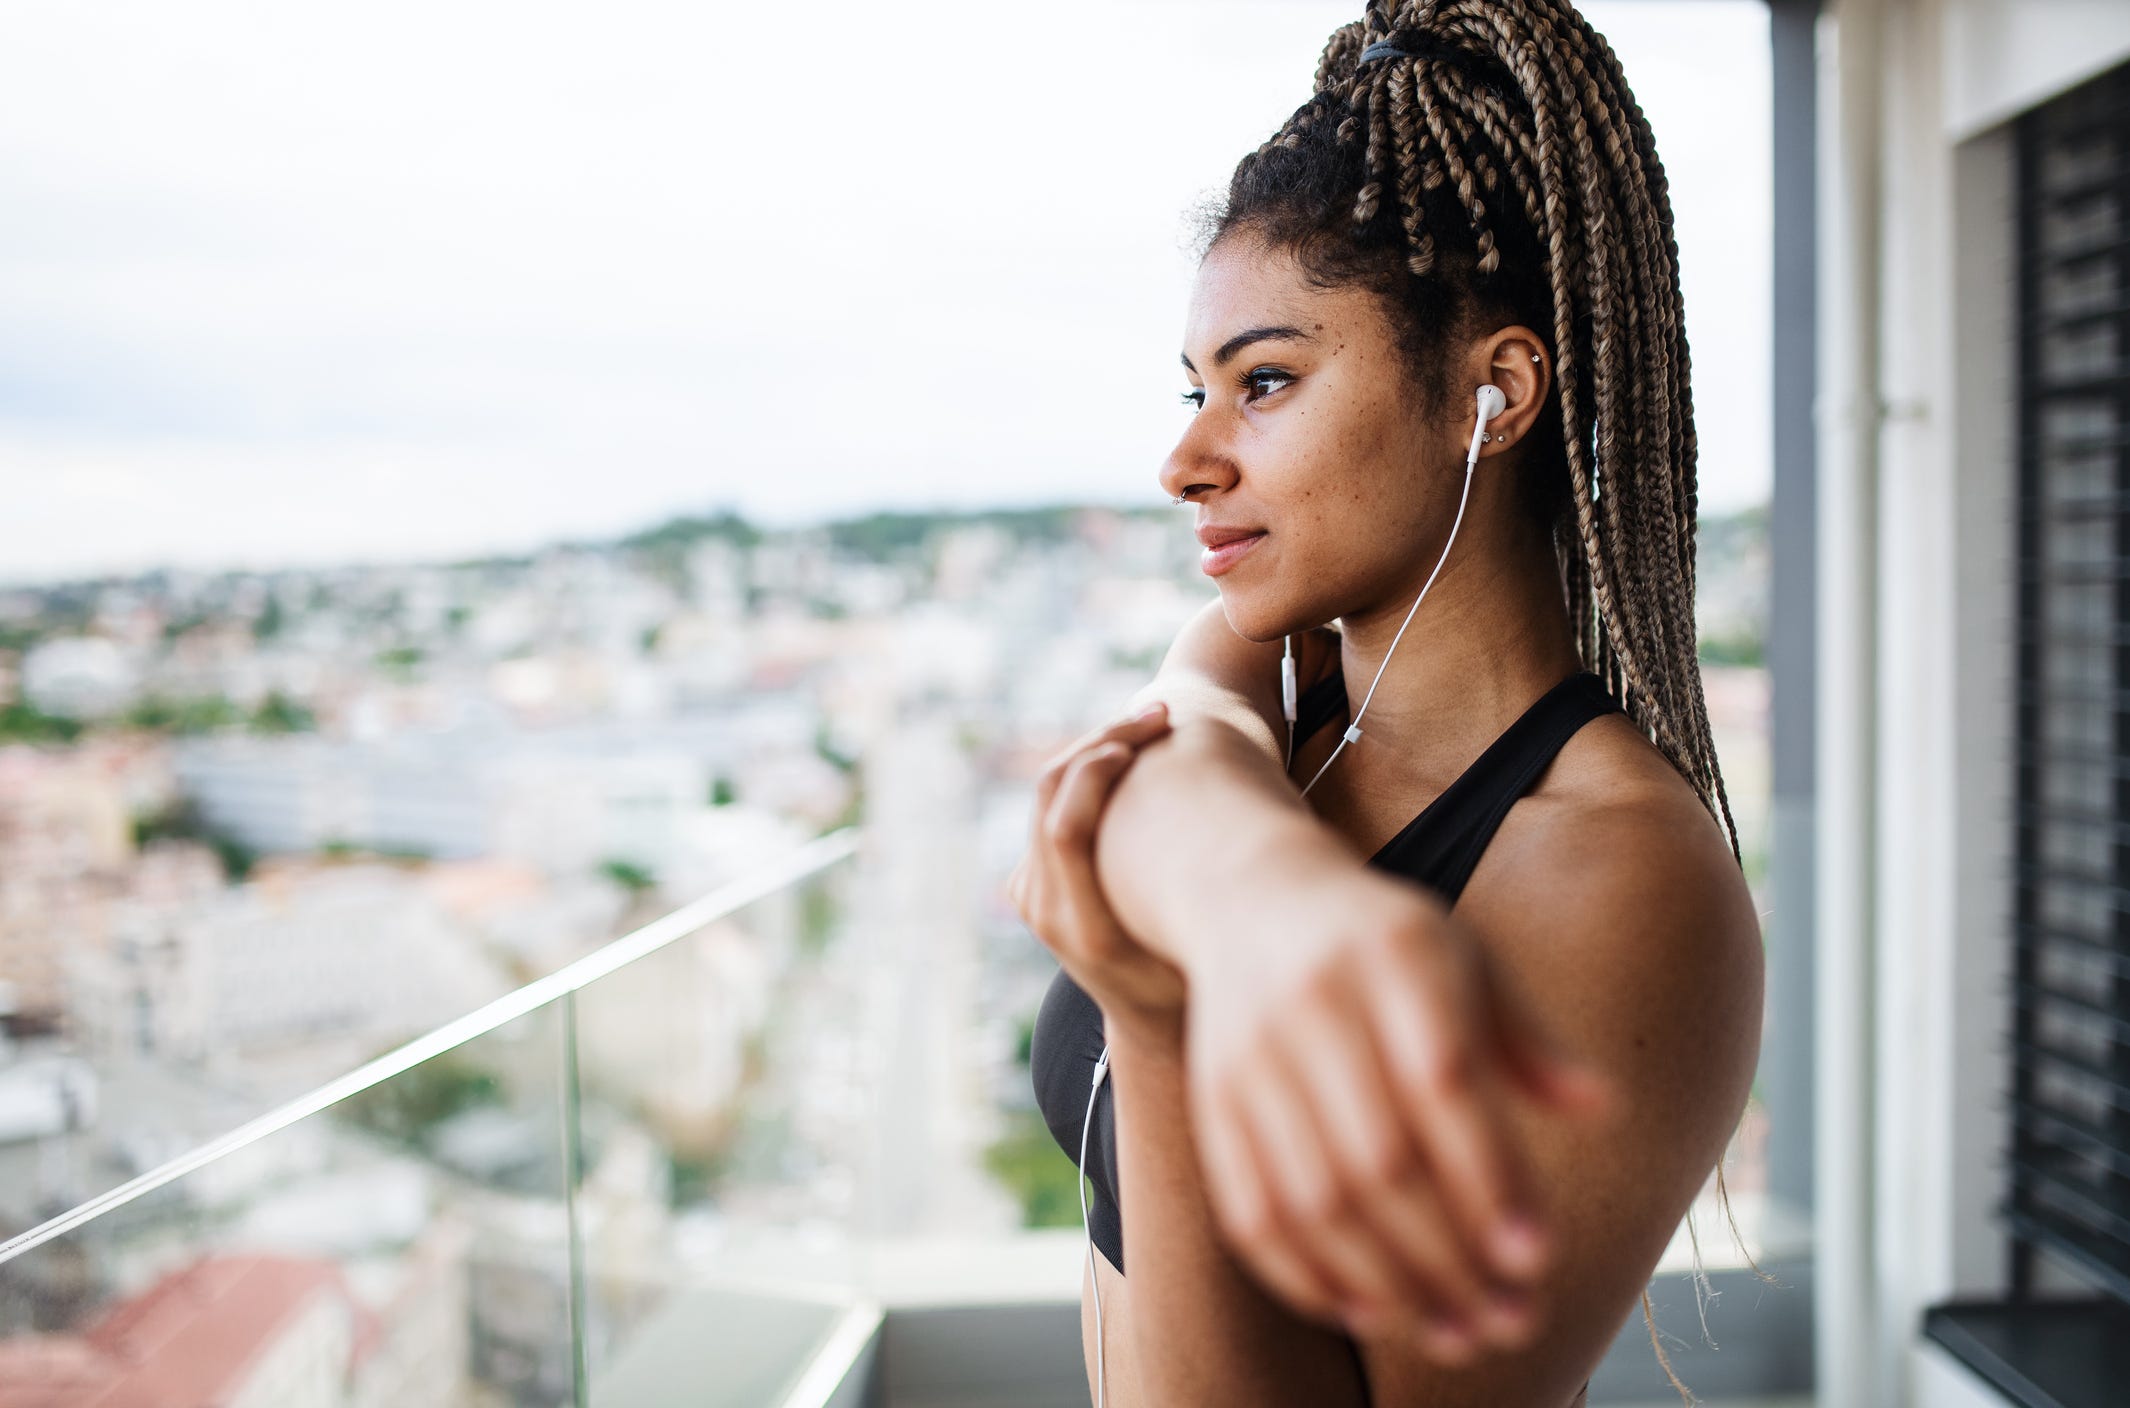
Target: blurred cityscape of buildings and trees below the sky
[{"x": 263, "y": 828}]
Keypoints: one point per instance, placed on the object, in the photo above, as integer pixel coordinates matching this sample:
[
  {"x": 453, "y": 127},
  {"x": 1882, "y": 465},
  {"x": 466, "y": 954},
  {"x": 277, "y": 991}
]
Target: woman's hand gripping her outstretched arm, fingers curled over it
[{"x": 1058, "y": 894}]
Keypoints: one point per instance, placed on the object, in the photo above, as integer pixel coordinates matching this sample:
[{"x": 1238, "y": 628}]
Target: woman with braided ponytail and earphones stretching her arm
[{"x": 1428, "y": 1006}]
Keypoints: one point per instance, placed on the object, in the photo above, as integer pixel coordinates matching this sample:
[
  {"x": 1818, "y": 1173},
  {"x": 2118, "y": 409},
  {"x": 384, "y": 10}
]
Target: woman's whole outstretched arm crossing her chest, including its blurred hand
[{"x": 1322, "y": 989}]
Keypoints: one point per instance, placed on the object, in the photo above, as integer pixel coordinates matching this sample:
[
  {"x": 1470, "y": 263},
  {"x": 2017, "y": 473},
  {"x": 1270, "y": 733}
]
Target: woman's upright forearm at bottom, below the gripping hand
[{"x": 1205, "y": 1332}]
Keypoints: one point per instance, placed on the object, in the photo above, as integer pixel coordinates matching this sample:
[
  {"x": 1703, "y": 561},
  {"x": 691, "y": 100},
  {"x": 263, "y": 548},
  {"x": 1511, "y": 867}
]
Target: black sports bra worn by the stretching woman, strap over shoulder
[{"x": 1439, "y": 849}]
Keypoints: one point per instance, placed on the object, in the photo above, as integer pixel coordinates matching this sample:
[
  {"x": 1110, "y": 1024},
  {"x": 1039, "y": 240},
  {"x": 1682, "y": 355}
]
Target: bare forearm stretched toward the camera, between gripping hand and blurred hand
[{"x": 1200, "y": 828}]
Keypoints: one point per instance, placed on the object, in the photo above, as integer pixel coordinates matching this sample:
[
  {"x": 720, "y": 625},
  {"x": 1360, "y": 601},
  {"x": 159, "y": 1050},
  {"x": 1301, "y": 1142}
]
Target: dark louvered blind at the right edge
[{"x": 2069, "y": 1175}]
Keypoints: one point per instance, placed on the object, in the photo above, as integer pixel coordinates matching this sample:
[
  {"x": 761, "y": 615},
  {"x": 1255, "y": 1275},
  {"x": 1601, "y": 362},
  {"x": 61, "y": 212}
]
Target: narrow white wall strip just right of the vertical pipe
[{"x": 1920, "y": 779}]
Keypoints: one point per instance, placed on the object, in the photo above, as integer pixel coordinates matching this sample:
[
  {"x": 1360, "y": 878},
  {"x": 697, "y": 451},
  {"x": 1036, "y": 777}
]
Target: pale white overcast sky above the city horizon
[{"x": 414, "y": 280}]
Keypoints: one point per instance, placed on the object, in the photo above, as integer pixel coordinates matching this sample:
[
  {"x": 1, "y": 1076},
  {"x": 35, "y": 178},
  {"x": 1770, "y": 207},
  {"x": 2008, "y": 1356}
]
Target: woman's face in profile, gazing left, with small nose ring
[{"x": 1309, "y": 433}]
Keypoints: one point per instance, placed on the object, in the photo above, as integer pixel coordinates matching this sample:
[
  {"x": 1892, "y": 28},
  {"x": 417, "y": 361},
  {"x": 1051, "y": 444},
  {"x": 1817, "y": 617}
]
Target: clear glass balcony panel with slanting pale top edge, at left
[{"x": 625, "y": 1181}]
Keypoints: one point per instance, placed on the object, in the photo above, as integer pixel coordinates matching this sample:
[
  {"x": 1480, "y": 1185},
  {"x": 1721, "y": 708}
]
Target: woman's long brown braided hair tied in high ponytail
[{"x": 1496, "y": 169}]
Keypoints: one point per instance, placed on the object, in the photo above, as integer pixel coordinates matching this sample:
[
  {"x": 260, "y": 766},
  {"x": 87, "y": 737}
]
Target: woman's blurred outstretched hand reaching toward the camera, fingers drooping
[{"x": 1349, "y": 1055}]
